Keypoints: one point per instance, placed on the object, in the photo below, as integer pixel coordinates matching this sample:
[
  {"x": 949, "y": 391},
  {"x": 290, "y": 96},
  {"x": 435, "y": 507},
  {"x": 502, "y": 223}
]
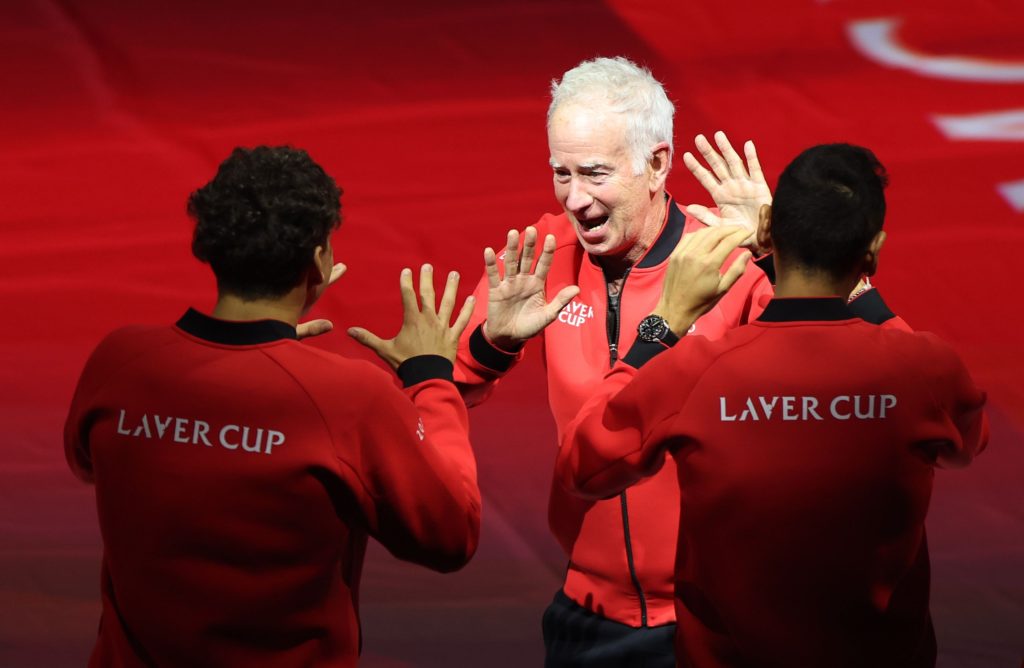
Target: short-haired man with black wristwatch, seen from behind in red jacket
[{"x": 804, "y": 444}]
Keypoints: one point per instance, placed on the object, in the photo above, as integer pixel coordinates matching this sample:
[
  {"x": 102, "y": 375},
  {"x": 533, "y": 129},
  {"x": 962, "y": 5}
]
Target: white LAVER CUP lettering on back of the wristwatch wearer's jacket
[{"x": 843, "y": 407}]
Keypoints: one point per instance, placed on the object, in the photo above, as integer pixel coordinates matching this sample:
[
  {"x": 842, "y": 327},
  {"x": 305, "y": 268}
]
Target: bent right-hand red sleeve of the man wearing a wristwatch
[{"x": 957, "y": 430}]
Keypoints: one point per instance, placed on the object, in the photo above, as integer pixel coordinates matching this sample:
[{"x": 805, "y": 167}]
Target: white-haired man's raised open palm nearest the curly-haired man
[{"x": 518, "y": 308}]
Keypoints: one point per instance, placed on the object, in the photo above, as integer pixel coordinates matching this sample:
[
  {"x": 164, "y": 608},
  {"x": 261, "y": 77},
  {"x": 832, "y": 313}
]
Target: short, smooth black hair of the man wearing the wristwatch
[{"x": 829, "y": 206}]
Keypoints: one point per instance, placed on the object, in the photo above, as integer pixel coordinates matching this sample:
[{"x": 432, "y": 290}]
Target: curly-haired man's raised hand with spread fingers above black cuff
[{"x": 425, "y": 329}]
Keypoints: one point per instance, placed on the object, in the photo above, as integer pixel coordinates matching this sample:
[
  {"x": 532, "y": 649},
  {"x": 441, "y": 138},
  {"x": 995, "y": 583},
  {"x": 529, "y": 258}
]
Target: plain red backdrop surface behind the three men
[{"x": 432, "y": 117}]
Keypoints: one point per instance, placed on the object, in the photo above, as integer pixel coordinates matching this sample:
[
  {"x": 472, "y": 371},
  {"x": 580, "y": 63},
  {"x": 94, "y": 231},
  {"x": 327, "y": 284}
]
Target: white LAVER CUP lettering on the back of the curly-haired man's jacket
[{"x": 190, "y": 431}]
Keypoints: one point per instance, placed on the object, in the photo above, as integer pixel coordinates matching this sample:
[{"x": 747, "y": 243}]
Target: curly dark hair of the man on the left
[{"x": 262, "y": 218}]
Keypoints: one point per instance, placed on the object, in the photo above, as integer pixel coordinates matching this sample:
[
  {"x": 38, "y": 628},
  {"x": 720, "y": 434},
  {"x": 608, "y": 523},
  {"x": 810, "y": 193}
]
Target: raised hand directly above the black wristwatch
[{"x": 694, "y": 282}]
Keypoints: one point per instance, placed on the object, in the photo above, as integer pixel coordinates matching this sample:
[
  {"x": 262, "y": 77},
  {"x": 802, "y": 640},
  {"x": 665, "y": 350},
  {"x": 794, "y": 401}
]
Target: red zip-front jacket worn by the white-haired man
[{"x": 622, "y": 551}]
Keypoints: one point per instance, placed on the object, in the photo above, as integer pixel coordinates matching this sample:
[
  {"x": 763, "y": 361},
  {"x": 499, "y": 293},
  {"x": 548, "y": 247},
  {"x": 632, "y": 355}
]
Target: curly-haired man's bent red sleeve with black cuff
[{"x": 416, "y": 469}]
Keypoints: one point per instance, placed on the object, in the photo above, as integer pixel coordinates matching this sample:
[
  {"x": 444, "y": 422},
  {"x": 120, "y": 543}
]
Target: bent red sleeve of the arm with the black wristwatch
[{"x": 623, "y": 432}]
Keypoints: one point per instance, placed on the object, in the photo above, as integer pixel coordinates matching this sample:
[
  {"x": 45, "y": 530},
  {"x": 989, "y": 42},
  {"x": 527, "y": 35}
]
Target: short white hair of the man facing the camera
[{"x": 623, "y": 88}]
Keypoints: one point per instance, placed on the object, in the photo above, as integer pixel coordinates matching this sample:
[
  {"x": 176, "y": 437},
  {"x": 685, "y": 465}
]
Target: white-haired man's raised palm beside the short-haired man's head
[{"x": 739, "y": 191}]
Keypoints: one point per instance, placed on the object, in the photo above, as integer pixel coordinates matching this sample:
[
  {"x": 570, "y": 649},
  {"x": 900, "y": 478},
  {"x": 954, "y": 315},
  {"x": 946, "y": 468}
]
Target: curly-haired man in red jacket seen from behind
[{"x": 239, "y": 473}]
